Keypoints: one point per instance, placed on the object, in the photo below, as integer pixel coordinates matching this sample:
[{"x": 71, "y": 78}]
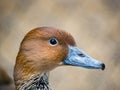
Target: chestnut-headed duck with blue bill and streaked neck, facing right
[{"x": 44, "y": 49}]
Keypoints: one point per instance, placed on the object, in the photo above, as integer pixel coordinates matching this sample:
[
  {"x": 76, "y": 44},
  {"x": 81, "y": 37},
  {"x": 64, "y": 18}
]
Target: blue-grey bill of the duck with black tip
[{"x": 76, "y": 57}]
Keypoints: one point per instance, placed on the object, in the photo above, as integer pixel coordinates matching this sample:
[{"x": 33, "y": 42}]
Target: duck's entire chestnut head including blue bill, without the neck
[{"x": 45, "y": 48}]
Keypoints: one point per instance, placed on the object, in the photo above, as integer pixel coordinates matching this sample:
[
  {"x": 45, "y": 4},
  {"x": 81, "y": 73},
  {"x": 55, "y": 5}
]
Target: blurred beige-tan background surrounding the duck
[{"x": 95, "y": 25}]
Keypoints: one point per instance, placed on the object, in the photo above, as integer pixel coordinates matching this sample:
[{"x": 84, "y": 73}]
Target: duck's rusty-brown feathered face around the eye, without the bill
[{"x": 46, "y": 48}]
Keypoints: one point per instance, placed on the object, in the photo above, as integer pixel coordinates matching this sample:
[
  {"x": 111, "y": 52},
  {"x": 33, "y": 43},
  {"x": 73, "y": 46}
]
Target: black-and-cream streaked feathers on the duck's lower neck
[{"x": 37, "y": 82}]
